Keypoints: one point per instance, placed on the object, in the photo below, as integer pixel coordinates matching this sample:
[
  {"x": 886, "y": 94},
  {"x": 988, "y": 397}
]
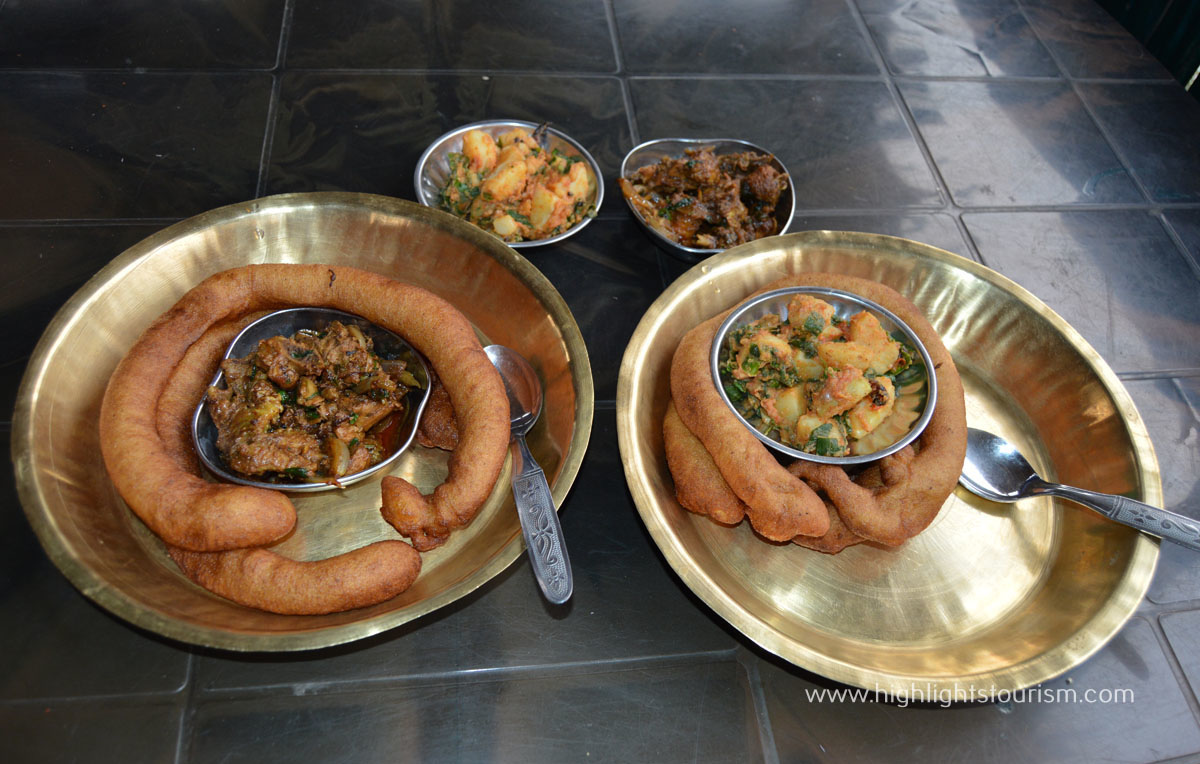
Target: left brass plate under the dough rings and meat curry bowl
[{"x": 112, "y": 558}]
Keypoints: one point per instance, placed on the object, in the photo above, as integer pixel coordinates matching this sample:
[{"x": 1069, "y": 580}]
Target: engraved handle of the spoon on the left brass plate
[{"x": 541, "y": 527}]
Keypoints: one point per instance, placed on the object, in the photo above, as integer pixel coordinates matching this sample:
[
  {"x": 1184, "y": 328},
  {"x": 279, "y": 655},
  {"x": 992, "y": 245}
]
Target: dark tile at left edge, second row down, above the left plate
[{"x": 98, "y": 146}]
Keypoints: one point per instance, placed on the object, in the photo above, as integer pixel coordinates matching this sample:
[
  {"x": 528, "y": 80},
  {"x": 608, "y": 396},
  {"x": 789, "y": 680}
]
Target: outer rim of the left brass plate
[{"x": 117, "y": 601}]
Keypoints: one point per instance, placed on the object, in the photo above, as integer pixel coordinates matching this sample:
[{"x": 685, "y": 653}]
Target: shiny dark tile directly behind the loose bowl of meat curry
[{"x": 844, "y": 142}]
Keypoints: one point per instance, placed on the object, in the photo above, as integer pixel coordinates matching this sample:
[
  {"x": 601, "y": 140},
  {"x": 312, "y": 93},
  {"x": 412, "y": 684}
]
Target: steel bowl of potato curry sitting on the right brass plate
[{"x": 824, "y": 375}]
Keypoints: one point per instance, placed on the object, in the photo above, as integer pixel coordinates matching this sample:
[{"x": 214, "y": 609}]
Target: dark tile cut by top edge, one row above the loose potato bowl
[{"x": 453, "y": 34}]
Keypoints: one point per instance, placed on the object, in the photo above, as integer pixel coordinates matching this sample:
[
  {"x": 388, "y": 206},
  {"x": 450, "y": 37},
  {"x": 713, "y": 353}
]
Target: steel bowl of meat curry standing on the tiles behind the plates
[{"x": 699, "y": 197}]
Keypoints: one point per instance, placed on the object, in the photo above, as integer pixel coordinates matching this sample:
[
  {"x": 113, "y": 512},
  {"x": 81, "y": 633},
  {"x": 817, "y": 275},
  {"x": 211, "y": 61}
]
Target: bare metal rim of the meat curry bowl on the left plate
[{"x": 286, "y": 323}]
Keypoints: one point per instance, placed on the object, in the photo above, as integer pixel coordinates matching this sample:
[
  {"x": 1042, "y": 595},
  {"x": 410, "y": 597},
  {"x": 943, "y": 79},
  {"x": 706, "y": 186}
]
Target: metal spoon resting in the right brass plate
[{"x": 998, "y": 472}]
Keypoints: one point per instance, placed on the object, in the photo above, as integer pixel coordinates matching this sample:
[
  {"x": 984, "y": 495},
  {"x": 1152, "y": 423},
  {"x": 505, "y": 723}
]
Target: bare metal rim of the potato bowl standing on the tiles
[{"x": 434, "y": 169}]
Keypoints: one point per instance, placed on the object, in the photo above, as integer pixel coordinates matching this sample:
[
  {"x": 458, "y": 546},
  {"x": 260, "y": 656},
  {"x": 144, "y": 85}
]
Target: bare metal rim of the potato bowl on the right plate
[{"x": 845, "y": 305}]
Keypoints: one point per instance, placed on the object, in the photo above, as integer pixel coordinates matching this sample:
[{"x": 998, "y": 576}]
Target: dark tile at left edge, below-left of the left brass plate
[{"x": 62, "y": 646}]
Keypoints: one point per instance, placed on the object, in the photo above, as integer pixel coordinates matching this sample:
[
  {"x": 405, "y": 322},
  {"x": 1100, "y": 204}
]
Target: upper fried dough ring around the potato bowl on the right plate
[{"x": 890, "y": 502}]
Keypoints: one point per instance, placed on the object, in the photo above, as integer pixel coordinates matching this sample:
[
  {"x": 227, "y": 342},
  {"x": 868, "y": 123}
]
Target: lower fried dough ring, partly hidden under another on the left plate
[{"x": 260, "y": 577}]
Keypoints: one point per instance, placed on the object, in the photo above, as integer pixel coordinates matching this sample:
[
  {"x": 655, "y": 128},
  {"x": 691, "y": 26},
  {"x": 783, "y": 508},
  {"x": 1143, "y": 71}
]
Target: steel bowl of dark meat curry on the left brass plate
[{"x": 310, "y": 400}]
